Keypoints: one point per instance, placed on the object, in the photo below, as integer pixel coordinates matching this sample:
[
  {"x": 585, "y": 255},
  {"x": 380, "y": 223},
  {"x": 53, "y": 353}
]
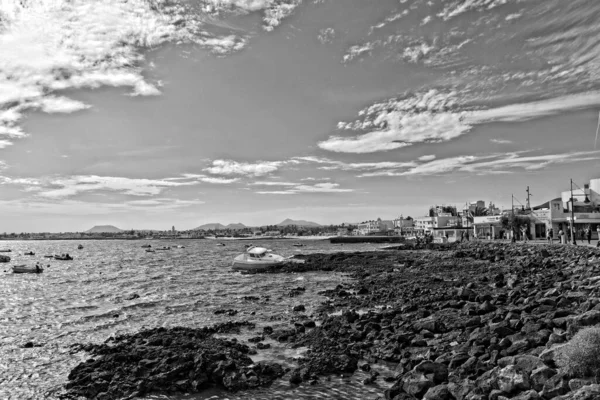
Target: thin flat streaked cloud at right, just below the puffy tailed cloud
[{"x": 499, "y": 163}]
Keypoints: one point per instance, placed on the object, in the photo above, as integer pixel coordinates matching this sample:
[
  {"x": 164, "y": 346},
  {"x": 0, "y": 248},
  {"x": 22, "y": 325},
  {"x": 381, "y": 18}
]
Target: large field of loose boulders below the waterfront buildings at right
[{"x": 470, "y": 321}]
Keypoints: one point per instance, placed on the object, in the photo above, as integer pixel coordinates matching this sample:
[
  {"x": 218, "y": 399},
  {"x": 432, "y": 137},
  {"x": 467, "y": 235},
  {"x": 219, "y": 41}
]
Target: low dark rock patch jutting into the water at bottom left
[{"x": 168, "y": 360}]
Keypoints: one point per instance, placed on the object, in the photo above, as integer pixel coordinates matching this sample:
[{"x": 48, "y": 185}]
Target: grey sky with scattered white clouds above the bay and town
[{"x": 147, "y": 114}]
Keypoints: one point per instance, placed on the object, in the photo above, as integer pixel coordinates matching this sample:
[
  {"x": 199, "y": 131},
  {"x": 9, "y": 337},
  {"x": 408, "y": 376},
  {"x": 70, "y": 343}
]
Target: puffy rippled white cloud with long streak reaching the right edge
[{"x": 433, "y": 117}]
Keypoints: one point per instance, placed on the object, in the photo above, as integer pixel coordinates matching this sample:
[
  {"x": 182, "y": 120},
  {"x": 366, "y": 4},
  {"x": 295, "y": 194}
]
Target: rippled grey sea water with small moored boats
[{"x": 85, "y": 300}]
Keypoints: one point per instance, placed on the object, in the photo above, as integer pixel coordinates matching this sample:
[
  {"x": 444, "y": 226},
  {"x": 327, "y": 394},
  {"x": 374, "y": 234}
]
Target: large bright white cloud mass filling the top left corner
[{"x": 56, "y": 45}]
